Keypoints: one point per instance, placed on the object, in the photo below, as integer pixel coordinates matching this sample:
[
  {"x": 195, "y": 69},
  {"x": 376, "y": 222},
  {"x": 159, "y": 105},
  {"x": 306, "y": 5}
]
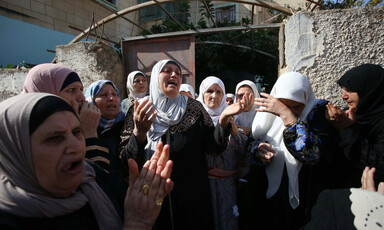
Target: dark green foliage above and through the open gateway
[{"x": 218, "y": 59}]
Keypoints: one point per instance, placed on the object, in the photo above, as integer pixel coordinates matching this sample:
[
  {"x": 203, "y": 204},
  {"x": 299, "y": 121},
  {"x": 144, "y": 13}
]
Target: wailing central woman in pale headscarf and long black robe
[{"x": 181, "y": 122}]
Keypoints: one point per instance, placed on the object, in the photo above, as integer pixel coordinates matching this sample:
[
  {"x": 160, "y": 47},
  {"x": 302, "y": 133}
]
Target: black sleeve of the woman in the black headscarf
[{"x": 363, "y": 151}]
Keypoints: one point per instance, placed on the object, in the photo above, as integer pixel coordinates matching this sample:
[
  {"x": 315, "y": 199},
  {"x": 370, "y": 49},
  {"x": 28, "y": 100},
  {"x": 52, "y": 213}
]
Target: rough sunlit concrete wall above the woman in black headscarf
[{"x": 325, "y": 44}]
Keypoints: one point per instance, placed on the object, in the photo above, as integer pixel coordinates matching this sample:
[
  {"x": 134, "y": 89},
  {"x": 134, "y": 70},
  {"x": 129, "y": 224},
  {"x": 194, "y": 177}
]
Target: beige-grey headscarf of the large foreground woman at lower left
[{"x": 20, "y": 191}]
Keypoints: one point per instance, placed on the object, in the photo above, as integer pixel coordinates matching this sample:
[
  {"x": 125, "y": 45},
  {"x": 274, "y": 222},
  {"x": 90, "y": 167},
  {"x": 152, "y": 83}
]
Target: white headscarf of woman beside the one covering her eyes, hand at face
[{"x": 245, "y": 119}]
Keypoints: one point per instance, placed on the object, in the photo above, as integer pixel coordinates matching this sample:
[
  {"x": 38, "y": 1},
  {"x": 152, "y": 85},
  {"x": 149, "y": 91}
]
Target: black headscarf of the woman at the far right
[{"x": 368, "y": 81}]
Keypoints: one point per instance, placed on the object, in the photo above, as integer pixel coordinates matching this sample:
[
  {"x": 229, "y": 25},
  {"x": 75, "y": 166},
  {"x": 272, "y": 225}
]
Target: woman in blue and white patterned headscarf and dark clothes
[{"x": 105, "y": 95}]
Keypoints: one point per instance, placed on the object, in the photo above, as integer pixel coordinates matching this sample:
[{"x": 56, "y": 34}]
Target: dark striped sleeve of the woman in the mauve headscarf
[{"x": 98, "y": 153}]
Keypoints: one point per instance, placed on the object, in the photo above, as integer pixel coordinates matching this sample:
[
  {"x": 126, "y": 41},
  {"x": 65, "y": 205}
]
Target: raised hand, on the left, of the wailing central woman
[{"x": 143, "y": 116}]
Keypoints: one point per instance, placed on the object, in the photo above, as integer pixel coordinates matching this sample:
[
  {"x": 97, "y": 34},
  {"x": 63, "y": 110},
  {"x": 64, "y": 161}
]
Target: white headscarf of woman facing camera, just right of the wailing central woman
[{"x": 205, "y": 84}]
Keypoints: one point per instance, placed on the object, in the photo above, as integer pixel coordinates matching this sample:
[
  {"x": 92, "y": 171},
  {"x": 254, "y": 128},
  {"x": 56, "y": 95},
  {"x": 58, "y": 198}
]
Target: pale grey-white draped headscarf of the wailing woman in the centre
[{"x": 169, "y": 110}]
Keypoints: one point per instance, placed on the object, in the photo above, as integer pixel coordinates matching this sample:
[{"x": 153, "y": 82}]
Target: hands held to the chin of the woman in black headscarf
[{"x": 339, "y": 119}]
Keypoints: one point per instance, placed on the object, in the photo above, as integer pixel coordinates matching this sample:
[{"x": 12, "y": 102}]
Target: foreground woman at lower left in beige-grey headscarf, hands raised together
[{"x": 47, "y": 183}]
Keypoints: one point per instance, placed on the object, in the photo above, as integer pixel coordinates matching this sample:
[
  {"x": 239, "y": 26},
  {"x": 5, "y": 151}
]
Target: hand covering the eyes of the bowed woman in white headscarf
[{"x": 272, "y": 105}]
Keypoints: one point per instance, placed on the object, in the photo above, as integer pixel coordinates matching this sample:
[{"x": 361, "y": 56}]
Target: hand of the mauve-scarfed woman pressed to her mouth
[{"x": 89, "y": 119}]
